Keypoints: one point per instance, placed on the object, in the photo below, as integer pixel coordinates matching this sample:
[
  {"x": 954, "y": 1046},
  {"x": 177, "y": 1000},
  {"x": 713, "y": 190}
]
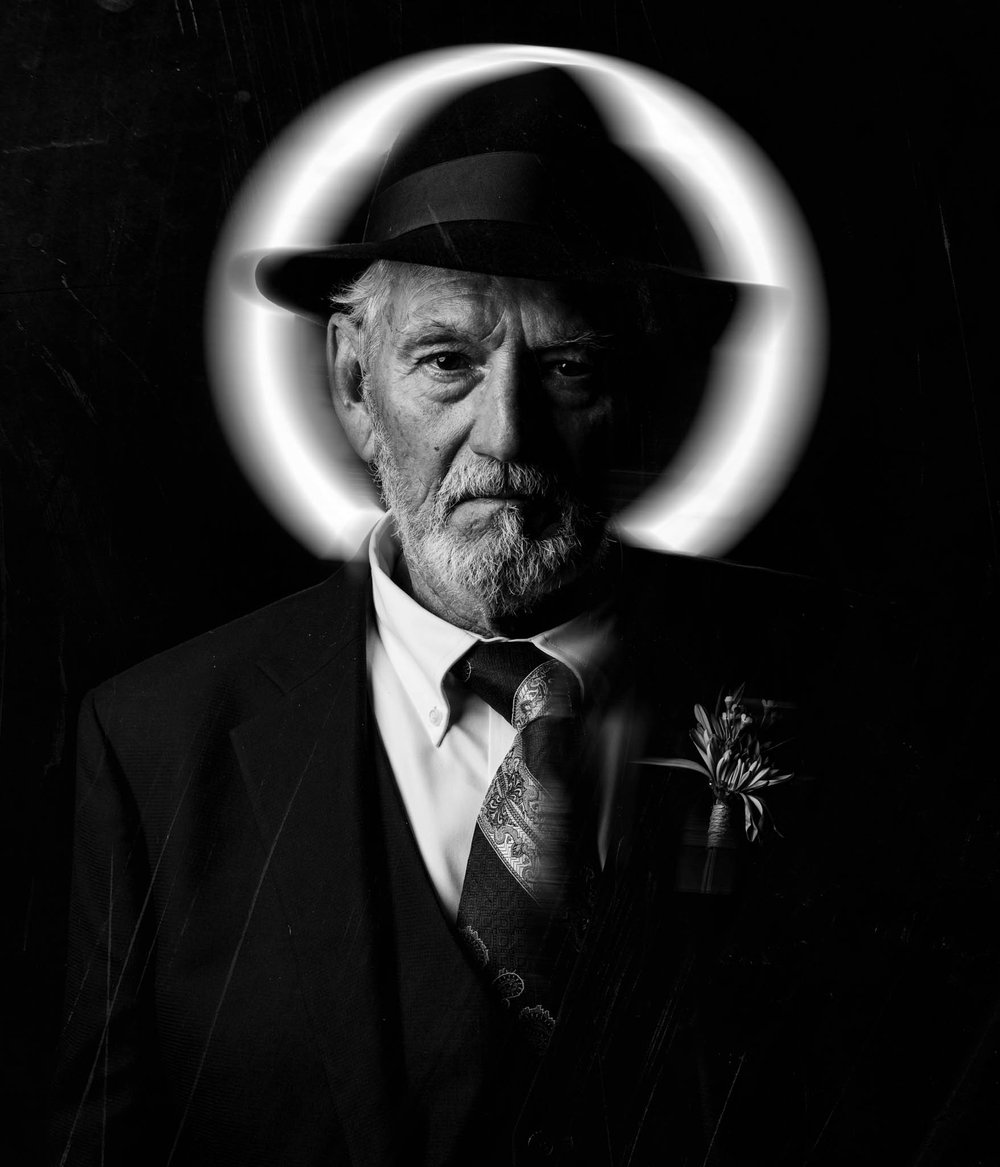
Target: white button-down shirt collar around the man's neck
[{"x": 423, "y": 648}]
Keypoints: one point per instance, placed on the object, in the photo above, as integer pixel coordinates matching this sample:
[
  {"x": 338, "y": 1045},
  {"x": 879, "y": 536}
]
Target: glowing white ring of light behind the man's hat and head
[{"x": 767, "y": 373}]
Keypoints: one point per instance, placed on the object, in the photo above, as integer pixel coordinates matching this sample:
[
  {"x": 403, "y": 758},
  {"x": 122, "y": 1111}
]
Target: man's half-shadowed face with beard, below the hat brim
[{"x": 493, "y": 411}]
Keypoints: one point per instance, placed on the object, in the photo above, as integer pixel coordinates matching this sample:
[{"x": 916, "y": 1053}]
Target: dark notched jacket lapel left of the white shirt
[{"x": 307, "y": 765}]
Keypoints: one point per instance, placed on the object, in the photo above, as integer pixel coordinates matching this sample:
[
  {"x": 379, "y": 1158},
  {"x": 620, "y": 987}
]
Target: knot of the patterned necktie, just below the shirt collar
[{"x": 520, "y": 682}]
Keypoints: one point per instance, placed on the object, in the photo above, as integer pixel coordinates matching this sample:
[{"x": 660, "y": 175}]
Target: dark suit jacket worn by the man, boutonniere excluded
[{"x": 229, "y": 998}]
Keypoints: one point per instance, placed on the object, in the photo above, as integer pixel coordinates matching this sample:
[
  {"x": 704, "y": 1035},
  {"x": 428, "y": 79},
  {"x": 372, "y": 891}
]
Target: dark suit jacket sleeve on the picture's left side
[{"x": 108, "y": 1102}]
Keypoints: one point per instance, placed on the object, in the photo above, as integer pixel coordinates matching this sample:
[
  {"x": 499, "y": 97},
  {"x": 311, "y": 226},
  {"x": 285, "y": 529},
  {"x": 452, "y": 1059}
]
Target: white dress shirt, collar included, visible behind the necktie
[{"x": 444, "y": 743}]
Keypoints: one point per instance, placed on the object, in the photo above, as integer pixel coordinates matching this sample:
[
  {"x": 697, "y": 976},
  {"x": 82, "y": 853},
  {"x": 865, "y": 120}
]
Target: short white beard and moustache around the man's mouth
[{"x": 507, "y": 570}]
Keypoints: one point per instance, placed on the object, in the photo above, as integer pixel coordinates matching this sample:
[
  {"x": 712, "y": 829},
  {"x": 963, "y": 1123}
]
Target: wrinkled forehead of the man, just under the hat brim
[{"x": 493, "y": 308}]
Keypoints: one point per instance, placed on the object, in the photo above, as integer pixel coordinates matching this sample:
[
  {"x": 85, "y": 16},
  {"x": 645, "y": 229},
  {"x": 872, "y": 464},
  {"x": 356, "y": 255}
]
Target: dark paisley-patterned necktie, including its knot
[{"x": 533, "y": 864}]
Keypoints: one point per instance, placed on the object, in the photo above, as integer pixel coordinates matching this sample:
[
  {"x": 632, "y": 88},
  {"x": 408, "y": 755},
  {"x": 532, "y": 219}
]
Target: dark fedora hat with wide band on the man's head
[{"x": 519, "y": 177}]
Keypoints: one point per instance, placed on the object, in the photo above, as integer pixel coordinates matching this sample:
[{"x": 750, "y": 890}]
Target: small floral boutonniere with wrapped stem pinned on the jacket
[{"x": 735, "y": 751}]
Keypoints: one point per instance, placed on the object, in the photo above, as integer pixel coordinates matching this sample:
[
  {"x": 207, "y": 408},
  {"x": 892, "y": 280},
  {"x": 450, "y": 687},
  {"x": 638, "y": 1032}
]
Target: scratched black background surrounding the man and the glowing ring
[{"x": 128, "y": 127}]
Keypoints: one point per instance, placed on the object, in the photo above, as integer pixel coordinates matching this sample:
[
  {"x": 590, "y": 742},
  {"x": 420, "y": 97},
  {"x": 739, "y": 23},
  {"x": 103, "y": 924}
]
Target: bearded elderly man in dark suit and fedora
[{"x": 374, "y": 876}]
